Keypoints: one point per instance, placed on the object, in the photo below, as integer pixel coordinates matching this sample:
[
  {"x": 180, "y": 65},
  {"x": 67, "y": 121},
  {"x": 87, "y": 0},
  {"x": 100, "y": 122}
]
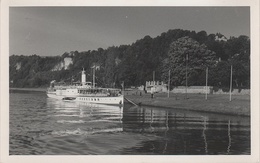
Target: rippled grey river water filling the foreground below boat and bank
[{"x": 43, "y": 126}]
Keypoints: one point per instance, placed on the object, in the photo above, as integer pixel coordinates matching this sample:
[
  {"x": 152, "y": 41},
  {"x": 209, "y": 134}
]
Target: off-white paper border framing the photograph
[{"x": 4, "y": 123}]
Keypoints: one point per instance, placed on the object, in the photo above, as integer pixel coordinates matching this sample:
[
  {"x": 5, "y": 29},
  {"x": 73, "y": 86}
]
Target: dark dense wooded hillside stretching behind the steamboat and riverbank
[{"x": 134, "y": 64}]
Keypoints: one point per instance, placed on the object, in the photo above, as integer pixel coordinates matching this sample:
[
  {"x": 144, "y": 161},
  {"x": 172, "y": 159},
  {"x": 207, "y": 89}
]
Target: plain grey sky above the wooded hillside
[{"x": 49, "y": 31}]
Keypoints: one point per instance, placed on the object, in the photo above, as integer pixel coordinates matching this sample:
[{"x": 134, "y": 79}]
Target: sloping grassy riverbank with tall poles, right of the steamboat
[{"x": 239, "y": 105}]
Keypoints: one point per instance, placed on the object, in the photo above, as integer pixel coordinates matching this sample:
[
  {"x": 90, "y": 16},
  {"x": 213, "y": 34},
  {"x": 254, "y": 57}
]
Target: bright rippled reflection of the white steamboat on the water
[{"x": 95, "y": 118}]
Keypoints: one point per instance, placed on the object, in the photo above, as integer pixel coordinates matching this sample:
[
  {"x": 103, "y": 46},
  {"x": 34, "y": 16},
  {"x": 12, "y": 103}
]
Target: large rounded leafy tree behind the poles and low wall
[{"x": 197, "y": 56}]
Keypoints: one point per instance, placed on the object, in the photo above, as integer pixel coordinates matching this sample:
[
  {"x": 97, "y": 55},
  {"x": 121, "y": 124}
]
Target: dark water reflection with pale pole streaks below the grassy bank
[{"x": 188, "y": 132}]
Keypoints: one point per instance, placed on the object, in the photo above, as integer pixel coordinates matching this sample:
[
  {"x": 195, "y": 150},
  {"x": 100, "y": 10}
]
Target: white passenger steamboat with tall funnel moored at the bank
[{"x": 85, "y": 92}]
